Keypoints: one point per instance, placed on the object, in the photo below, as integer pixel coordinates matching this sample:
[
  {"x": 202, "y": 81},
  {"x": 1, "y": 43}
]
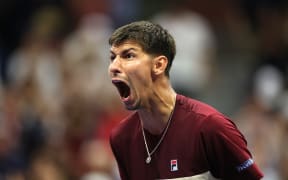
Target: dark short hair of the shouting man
[{"x": 153, "y": 39}]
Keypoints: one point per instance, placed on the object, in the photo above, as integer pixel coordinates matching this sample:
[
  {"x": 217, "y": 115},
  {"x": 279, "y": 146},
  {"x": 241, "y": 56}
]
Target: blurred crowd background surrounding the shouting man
[{"x": 57, "y": 105}]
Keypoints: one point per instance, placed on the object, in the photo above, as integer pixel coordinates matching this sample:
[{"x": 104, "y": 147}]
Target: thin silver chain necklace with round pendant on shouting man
[{"x": 148, "y": 159}]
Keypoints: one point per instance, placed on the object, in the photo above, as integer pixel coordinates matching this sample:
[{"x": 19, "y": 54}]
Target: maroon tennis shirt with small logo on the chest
[{"x": 200, "y": 143}]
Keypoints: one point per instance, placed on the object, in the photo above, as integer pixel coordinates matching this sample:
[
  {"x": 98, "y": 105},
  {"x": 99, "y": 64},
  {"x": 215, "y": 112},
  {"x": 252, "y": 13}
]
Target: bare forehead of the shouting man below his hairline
[{"x": 126, "y": 45}]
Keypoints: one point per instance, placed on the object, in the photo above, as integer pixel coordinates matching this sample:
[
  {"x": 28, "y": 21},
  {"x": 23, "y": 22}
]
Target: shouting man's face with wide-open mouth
[{"x": 130, "y": 70}]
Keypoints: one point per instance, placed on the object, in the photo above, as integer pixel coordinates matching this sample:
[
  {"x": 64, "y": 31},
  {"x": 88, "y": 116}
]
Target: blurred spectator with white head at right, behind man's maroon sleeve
[{"x": 262, "y": 122}]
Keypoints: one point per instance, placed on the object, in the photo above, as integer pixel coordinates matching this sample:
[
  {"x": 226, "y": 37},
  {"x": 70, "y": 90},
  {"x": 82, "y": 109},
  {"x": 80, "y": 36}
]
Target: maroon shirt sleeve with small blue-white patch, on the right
[{"x": 227, "y": 152}]
